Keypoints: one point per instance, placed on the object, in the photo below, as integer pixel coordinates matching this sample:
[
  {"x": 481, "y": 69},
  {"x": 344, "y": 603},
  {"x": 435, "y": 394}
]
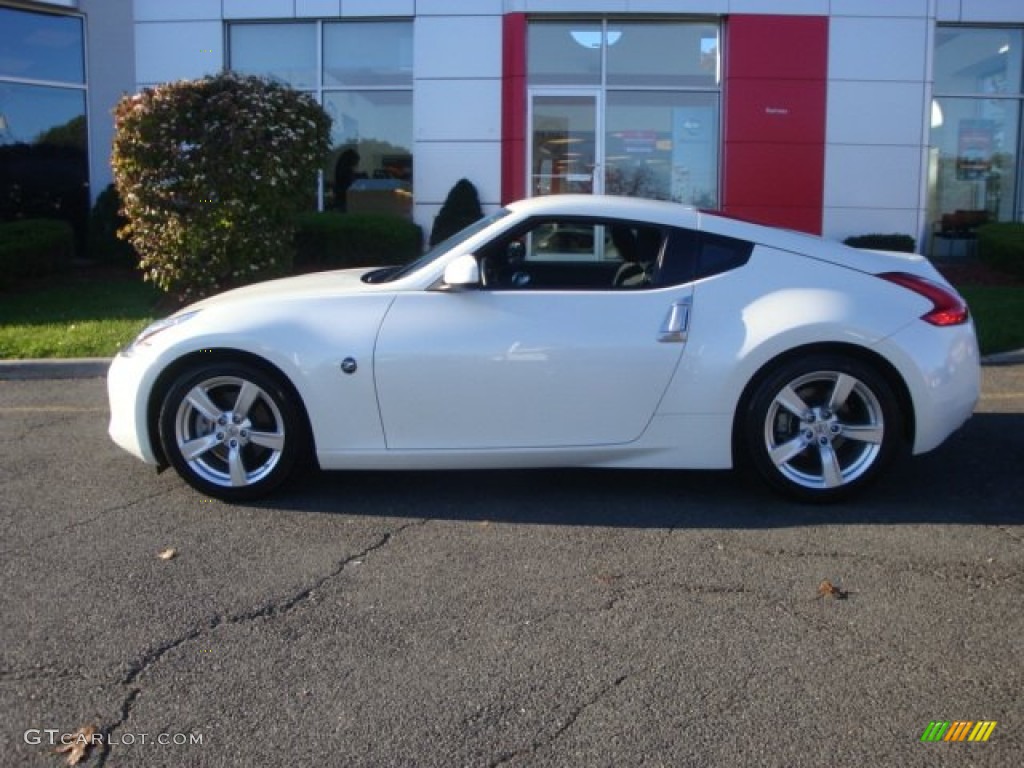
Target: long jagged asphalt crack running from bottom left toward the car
[{"x": 268, "y": 611}]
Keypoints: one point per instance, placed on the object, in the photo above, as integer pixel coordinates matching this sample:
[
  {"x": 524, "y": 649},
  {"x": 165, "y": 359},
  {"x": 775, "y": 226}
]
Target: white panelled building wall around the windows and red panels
[{"x": 879, "y": 84}]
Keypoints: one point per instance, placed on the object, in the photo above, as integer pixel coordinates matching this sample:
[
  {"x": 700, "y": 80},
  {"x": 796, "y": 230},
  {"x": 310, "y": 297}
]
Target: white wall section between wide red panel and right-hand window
[{"x": 877, "y": 136}]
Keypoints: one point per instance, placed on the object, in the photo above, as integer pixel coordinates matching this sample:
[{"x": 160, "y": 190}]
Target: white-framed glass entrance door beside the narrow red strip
[{"x": 566, "y": 144}]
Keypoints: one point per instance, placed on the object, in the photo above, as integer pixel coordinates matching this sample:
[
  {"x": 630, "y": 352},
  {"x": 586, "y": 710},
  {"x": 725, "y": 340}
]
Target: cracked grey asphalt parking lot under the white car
[{"x": 505, "y": 619}]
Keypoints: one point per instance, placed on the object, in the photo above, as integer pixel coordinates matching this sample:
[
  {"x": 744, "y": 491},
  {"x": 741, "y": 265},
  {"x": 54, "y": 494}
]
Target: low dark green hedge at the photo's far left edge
[{"x": 34, "y": 248}]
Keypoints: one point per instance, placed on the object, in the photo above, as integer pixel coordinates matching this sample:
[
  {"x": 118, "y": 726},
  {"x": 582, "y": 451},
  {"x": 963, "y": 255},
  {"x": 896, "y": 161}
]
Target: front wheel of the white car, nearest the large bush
[{"x": 232, "y": 431}]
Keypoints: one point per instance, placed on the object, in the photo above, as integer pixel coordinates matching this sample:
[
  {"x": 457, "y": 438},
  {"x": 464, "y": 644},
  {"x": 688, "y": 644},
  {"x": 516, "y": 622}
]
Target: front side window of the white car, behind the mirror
[{"x": 574, "y": 253}]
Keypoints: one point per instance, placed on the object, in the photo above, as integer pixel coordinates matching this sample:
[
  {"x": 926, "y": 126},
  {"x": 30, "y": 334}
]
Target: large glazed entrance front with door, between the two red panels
[{"x": 626, "y": 107}]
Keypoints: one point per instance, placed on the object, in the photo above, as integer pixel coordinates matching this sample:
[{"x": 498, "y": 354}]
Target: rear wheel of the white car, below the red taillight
[{"x": 822, "y": 429}]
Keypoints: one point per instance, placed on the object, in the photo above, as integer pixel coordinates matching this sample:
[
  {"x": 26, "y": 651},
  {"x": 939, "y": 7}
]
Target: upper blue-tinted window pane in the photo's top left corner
[{"x": 40, "y": 47}]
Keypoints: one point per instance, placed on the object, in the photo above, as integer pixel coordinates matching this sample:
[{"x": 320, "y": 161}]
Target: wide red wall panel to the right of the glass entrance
[{"x": 776, "y": 99}]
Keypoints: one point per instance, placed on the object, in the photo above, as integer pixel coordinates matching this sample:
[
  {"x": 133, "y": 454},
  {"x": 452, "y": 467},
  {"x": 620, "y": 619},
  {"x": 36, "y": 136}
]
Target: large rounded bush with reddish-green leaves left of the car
[{"x": 211, "y": 175}]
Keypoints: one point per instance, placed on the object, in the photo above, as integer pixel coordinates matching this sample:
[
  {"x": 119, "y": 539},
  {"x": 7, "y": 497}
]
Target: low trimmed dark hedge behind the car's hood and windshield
[{"x": 339, "y": 241}]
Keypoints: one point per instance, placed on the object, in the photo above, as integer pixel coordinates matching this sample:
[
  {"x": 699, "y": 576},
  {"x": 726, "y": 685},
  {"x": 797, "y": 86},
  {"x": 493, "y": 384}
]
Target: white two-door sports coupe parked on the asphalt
[{"x": 564, "y": 331}]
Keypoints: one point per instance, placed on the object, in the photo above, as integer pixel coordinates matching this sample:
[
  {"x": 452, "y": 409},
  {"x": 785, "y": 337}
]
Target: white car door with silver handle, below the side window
[{"x": 527, "y": 366}]
